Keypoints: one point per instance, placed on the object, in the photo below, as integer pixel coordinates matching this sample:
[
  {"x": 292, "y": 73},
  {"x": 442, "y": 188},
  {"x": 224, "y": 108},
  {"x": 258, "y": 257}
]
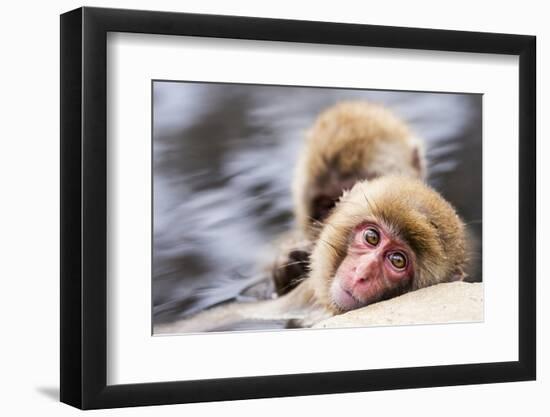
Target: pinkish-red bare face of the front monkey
[{"x": 375, "y": 267}]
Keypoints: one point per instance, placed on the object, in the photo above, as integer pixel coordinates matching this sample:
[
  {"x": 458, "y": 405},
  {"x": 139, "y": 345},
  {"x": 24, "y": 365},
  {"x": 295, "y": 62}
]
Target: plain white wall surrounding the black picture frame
[{"x": 29, "y": 214}]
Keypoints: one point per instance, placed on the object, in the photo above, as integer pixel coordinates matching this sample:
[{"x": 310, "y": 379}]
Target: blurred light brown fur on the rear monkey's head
[{"x": 352, "y": 141}]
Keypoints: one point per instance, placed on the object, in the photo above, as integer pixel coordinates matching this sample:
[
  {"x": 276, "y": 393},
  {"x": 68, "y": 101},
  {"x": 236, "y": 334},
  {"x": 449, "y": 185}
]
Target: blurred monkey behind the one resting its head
[{"x": 348, "y": 142}]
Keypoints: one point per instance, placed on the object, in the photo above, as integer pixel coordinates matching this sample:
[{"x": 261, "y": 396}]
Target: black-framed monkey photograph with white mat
[{"x": 259, "y": 207}]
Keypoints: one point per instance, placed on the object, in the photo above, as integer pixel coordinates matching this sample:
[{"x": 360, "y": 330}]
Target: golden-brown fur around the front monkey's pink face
[{"x": 409, "y": 209}]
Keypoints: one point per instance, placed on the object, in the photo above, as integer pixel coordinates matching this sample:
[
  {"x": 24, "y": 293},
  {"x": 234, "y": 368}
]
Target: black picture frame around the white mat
[{"x": 84, "y": 207}]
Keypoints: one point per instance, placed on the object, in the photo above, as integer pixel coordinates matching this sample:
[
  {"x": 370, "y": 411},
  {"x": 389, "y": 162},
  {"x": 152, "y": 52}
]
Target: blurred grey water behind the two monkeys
[{"x": 223, "y": 158}]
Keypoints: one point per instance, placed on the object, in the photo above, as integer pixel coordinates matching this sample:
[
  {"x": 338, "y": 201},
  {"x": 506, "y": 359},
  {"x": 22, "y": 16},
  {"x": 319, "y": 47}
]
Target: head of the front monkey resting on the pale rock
[{"x": 386, "y": 237}]
